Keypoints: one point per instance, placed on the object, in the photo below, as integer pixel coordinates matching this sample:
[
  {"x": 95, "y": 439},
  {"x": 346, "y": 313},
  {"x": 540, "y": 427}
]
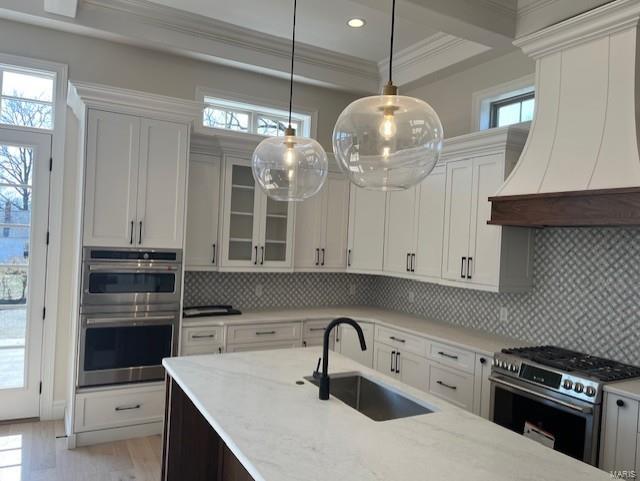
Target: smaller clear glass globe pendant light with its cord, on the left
[{"x": 290, "y": 168}]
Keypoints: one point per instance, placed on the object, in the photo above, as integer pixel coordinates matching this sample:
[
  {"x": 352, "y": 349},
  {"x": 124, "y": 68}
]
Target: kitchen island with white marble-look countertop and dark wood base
[{"x": 253, "y": 416}]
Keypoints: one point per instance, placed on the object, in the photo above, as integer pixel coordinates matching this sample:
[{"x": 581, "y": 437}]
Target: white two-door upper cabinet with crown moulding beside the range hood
[{"x": 476, "y": 254}]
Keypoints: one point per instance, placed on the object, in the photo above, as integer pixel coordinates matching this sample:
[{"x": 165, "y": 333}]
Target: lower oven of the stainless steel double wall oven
[{"x": 125, "y": 347}]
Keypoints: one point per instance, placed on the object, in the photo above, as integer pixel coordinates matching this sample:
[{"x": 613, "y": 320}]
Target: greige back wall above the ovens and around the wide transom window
[{"x": 119, "y": 65}]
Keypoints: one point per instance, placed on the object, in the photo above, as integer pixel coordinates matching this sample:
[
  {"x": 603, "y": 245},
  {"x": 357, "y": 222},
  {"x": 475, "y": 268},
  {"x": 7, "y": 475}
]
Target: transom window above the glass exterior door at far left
[{"x": 26, "y": 98}]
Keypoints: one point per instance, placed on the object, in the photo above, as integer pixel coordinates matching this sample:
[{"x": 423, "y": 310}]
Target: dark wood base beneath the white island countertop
[{"x": 192, "y": 449}]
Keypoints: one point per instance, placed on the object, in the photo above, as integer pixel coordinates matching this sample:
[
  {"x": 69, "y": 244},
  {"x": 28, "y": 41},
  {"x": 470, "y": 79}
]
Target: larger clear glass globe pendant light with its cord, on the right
[{"x": 388, "y": 141}]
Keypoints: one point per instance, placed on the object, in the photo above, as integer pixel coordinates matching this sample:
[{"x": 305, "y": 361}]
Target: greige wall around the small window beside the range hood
[{"x": 451, "y": 96}]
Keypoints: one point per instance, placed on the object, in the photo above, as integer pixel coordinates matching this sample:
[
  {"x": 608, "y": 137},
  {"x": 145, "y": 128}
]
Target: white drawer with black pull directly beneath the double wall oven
[{"x": 119, "y": 407}]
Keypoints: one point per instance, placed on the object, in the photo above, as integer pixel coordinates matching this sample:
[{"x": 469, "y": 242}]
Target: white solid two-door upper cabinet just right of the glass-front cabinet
[{"x": 321, "y": 227}]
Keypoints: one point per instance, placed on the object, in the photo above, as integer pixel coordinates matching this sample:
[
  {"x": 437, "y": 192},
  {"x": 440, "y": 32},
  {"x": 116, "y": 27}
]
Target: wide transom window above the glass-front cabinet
[{"x": 252, "y": 119}]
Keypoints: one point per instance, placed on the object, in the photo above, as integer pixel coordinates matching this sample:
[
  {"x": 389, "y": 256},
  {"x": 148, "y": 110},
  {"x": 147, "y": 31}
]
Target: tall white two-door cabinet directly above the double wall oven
[{"x": 135, "y": 181}]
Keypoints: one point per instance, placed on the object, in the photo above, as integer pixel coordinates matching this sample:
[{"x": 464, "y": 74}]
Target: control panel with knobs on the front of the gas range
[{"x": 575, "y": 386}]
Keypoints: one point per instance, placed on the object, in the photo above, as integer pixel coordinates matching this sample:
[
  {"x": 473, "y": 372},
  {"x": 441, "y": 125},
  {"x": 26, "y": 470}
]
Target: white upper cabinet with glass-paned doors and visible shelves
[{"x": 257, "y": 231}]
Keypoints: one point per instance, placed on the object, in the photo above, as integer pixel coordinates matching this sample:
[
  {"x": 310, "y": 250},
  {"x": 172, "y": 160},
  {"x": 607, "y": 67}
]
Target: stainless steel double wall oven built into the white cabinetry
[{"x": 129, "y": 314}]
